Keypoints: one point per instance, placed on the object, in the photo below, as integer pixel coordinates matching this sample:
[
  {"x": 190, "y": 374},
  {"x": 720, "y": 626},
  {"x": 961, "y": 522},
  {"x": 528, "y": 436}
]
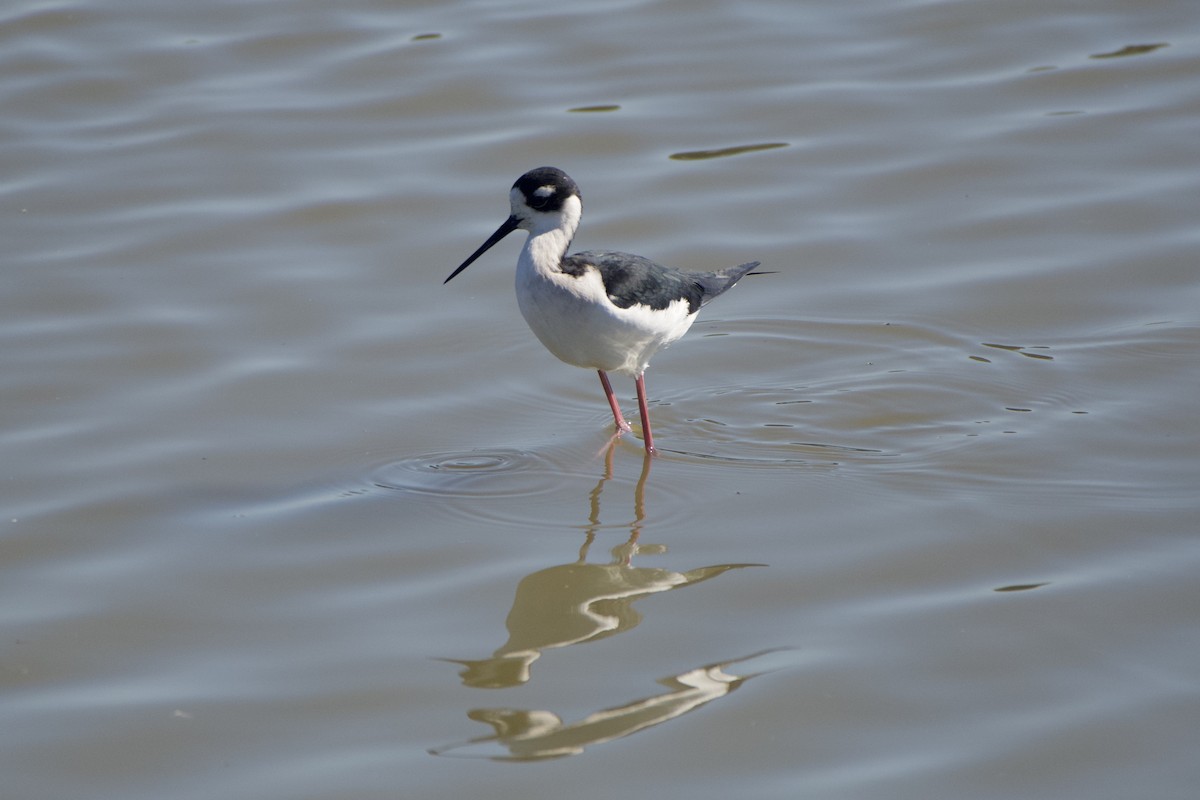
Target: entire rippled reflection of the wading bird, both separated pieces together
[{"x": 578, "y": 603}]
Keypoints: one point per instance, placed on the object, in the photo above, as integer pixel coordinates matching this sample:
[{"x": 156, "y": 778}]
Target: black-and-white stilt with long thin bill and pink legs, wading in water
[{"x": 601, "y": 310}]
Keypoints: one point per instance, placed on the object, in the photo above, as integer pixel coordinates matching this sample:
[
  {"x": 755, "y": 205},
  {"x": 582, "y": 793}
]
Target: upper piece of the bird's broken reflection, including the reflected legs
[{"x": 578, "y": 603}]
